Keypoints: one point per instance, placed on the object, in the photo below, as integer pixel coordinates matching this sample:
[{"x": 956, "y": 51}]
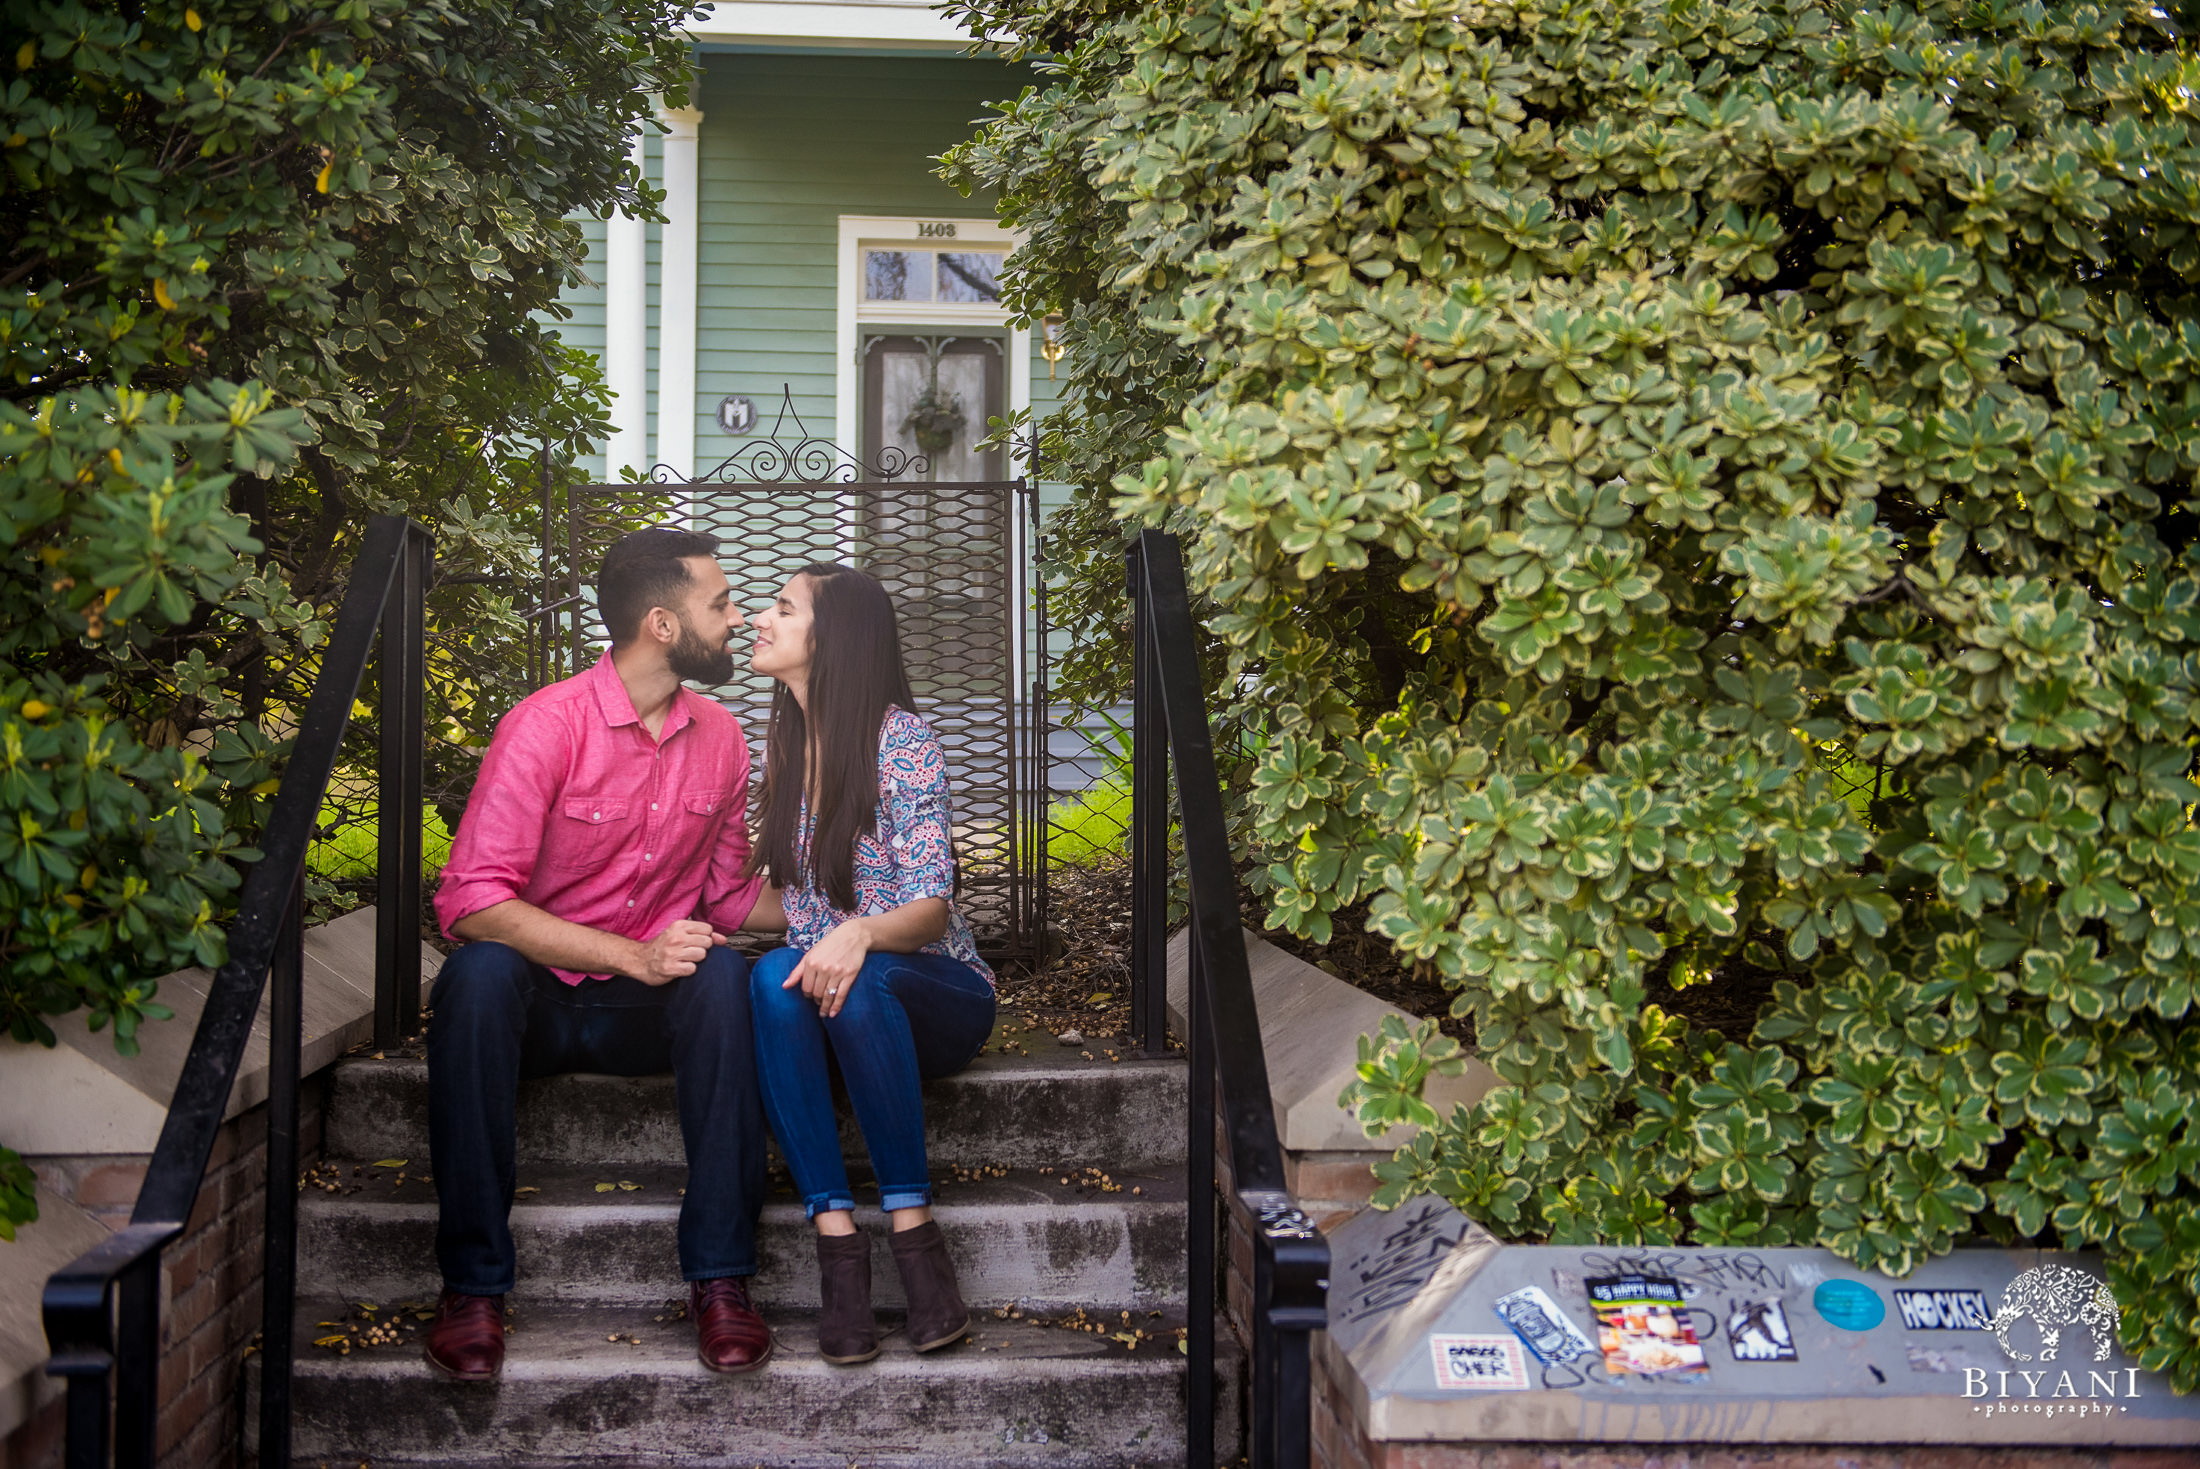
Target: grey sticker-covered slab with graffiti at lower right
[{"x": 1442, "y": 1334}]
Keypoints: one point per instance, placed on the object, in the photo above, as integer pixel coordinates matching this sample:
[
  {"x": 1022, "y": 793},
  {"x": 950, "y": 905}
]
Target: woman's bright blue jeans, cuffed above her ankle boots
[{"x": 907, "y": 1019}]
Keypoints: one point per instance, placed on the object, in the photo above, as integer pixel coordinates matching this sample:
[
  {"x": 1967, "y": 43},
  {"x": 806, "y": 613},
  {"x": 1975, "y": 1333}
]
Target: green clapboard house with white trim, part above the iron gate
[{"x": 808, "y": 247}]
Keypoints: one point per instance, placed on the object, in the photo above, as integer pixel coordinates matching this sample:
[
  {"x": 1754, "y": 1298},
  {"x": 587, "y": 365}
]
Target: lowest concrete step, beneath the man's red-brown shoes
[{"x": 1013, "y": 1398}]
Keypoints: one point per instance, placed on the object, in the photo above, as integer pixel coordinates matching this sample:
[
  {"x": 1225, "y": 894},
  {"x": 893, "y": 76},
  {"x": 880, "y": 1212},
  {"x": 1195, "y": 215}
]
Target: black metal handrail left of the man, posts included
[{"x": 104, "y": 1310}]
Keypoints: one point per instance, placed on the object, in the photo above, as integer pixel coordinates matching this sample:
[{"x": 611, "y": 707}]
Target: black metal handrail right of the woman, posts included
[{"x": 1290, "y": 1259}]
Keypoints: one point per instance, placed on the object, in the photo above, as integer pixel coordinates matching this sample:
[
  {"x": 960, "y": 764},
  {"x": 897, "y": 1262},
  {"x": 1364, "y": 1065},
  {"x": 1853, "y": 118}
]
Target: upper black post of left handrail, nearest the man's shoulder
[{"x": 404, "y": 678}]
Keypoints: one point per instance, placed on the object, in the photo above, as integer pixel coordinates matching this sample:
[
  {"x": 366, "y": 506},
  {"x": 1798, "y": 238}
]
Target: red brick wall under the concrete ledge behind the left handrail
[{"x": 210, "y": 1288}]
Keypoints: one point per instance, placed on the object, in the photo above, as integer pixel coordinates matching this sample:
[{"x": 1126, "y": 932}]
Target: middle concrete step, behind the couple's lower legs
[{"x": 1020, "y": 1241}]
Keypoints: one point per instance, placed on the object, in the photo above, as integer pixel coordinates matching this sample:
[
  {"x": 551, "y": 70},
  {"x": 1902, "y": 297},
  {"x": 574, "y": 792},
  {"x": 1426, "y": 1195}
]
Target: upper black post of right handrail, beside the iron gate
[{"x": 1149, "y": 826}]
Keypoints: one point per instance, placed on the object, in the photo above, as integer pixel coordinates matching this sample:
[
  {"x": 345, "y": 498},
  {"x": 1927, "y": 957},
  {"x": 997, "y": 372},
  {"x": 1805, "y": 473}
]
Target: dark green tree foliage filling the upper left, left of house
[{"x": 267, "y": 269}]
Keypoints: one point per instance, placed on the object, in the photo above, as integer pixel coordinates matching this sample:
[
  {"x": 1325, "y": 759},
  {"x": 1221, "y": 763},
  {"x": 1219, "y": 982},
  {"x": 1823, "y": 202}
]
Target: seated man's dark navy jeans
[{"x": 500, "y": 1021}]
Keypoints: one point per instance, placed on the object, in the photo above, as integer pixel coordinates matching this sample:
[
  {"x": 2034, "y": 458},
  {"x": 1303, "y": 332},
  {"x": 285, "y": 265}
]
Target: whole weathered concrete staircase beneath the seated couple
[{"x": 1079, "y": 1288}]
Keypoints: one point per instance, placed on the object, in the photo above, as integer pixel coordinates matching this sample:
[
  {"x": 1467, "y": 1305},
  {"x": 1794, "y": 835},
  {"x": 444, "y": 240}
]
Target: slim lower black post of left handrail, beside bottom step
[{"x": 278, "y": 1301}]
